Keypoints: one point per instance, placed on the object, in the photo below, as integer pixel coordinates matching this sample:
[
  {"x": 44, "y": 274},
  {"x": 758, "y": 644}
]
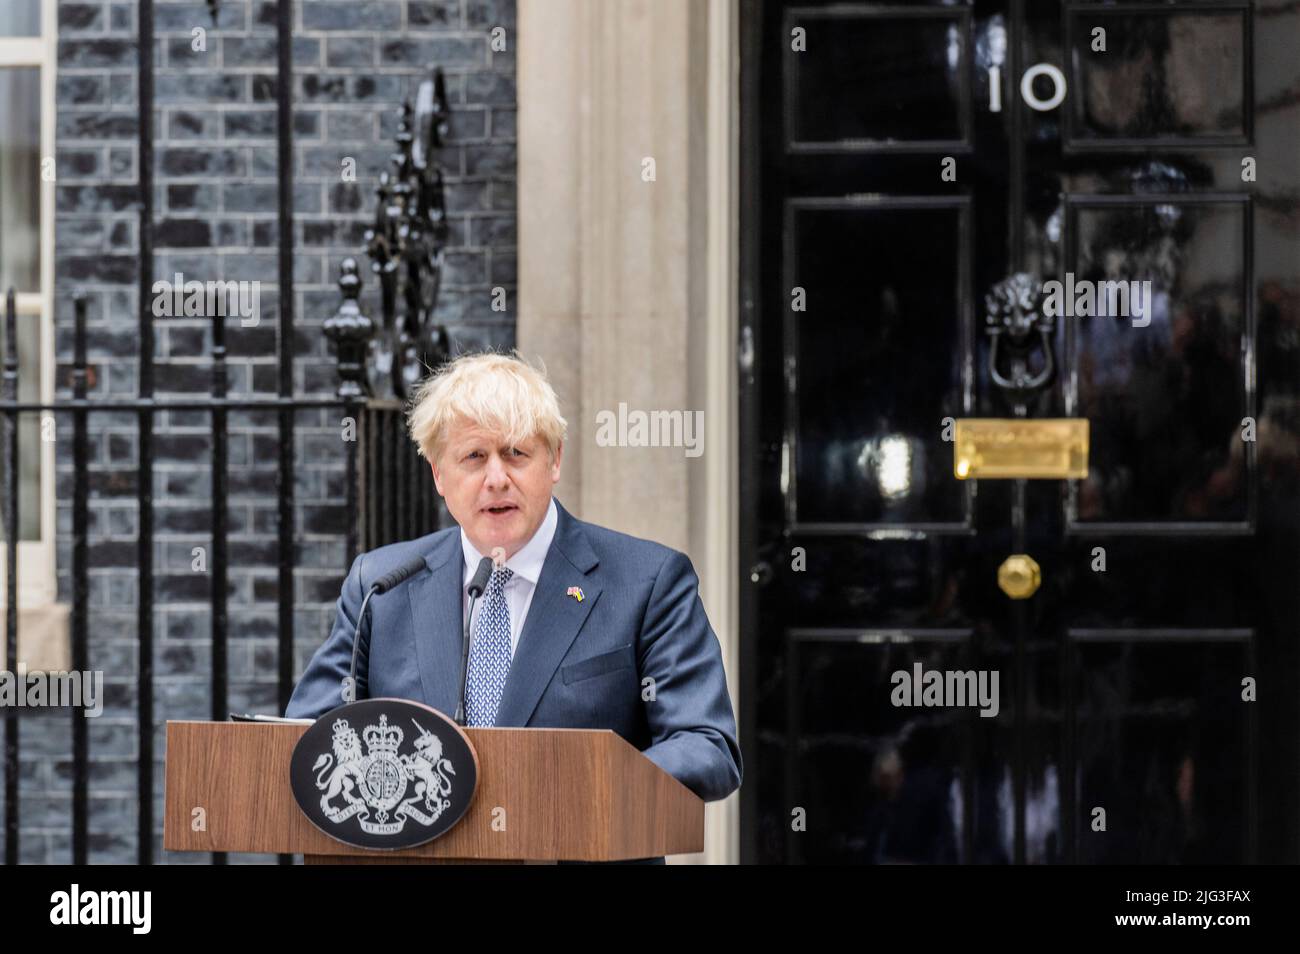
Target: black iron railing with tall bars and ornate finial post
[{"x": 389, "y": 492}]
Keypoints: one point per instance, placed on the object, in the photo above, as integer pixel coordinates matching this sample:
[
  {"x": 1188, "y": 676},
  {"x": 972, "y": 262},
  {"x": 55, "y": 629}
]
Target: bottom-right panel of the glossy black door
[{"x": 1163, "y": 734}]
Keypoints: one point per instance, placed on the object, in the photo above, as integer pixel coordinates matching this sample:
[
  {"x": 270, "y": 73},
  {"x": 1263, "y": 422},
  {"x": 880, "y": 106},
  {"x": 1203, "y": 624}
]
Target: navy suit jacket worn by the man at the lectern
[{"x": 579, "y": 665}]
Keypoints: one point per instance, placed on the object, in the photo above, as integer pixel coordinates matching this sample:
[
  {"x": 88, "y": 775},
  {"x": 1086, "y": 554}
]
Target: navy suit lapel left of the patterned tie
[{"x": 437, "y": 625}]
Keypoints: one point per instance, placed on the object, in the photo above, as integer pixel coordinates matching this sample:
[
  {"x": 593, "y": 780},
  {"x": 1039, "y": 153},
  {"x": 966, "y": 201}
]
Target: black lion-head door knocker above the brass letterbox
[{"x": 1017, "y": 328}]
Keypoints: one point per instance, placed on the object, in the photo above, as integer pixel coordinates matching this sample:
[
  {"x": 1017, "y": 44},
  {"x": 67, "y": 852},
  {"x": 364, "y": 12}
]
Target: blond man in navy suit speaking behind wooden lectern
[{"x": 580, "y": 627}]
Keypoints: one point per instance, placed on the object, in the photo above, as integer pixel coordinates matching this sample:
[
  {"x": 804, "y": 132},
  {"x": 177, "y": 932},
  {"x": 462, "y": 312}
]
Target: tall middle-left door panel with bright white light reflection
[{"x": 863, "y": 426}]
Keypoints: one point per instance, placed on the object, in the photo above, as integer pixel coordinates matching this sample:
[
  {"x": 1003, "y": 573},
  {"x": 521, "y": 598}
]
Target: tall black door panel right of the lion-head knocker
[{"x": 1165, "y": 401}]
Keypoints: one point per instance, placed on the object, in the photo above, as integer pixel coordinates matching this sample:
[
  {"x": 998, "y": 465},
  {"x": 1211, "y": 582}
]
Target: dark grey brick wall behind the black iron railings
[{"x": 216, "y": 218}]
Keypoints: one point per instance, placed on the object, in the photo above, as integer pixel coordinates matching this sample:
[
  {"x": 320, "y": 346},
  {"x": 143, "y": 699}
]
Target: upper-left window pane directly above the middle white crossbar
[{"x": 20, "y": 180}]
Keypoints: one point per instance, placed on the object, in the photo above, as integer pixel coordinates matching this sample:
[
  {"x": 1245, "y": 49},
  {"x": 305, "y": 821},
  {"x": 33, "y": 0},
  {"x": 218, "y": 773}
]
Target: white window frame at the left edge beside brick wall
[{"x": 37, "y": 575}]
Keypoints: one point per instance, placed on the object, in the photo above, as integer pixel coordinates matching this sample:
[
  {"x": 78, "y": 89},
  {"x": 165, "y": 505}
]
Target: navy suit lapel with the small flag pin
[{"x": 553, "y": 622}]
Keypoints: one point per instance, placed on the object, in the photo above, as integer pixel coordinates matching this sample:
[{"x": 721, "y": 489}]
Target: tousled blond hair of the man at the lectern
[{"x": 497, "y": 392}]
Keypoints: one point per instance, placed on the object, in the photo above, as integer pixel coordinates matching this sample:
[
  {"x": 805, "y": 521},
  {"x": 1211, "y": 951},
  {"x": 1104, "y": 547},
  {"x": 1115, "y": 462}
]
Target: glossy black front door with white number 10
[{"x": 905, "y": 167}]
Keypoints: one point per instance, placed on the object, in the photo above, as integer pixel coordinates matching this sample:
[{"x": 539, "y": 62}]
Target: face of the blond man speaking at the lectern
[{"x": 497, "y": 492}]
